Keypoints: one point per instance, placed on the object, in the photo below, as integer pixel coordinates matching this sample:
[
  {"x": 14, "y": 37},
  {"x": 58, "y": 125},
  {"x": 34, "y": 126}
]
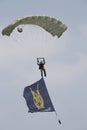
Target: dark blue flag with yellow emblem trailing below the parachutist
[{"x": 37, "y": 97}]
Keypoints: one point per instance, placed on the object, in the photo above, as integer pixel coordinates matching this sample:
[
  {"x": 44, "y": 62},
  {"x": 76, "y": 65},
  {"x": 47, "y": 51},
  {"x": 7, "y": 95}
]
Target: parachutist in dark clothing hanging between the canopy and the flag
[{"x": 41, "y": 66}]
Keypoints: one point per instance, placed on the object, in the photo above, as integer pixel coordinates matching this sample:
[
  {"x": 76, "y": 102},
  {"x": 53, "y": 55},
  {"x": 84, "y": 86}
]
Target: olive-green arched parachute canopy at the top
[{"x": 50, "y": 24}]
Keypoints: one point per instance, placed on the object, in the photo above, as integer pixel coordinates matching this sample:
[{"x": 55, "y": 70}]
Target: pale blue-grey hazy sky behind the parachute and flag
[{"x": 66, "y": 65}]
